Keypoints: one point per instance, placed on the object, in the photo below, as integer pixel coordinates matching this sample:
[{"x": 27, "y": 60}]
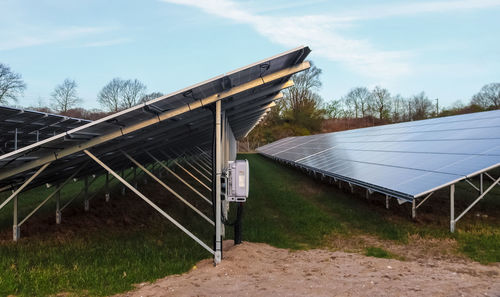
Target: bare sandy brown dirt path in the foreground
[{"x": 254, "y": 269}]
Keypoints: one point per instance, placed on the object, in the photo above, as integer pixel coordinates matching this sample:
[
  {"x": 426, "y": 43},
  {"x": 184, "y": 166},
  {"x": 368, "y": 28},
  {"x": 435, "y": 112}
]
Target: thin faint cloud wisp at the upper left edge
[{"x": 28, "y": 36}]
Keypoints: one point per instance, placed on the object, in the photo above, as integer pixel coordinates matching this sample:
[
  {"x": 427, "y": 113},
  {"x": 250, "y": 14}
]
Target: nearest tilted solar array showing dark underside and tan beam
[{"x": 246, "y": 92}]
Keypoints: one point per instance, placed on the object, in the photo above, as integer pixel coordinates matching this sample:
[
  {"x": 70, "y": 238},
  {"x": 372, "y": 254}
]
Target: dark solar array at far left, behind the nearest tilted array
[{"x": 21, "y": 127}]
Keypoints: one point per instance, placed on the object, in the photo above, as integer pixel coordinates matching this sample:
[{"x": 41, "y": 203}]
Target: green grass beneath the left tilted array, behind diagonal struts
[{"x": 87, "y": 255}]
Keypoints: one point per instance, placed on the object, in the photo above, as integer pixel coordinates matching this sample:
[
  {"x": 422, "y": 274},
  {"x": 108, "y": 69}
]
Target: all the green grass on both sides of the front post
[{"x": 125, "y": 242}]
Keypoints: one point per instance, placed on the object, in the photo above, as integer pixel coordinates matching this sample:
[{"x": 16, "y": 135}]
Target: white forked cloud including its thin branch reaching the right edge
[{"x": 324, "y": 35}]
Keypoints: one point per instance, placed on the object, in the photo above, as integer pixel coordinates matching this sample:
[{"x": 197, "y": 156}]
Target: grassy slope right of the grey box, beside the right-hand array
[{"x": 288, "y": 209}]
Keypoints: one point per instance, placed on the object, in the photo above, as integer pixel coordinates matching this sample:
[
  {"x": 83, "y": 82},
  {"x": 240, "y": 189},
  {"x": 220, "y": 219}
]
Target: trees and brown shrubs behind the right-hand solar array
[{"x": 302, "y": 111}]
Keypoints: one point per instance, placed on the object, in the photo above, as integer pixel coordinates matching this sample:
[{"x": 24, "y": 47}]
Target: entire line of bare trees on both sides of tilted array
[{"x": 301, "y": 111}]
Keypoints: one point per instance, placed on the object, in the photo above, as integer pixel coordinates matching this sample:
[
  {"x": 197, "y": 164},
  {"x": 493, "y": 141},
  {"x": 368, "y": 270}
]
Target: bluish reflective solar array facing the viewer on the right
[{"x": 405, "y": 160}]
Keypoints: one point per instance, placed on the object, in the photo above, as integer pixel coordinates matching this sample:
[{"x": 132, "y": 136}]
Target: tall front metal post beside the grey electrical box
[{"x": 218, "y": 174}]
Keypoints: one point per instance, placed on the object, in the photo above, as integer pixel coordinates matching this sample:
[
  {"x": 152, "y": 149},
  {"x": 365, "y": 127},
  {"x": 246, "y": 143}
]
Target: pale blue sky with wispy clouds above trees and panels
[{"x": 449, "y": 49}]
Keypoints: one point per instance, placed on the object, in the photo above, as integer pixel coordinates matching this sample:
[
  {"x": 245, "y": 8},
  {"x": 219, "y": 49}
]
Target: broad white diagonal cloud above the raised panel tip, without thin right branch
[{"x": 320, "y": 32}]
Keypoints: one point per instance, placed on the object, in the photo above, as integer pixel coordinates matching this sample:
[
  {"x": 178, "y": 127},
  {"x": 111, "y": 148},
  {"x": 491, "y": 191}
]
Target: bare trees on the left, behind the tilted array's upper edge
[{"x": 118, "y": 94}]
